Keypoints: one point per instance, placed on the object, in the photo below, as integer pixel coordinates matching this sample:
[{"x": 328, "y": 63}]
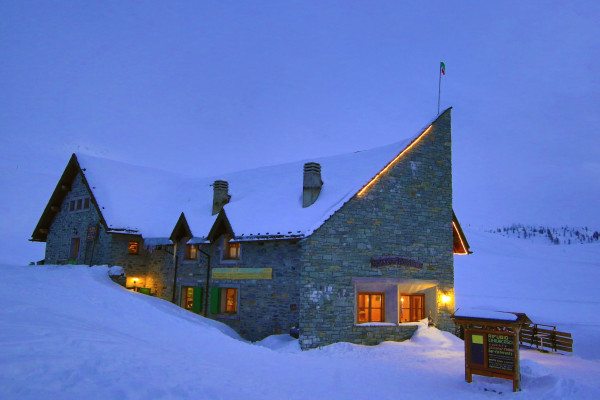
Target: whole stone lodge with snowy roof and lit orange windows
[{"x": 355, "y": 247}]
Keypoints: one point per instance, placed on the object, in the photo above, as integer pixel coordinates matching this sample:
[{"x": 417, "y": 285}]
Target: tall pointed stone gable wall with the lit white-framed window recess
[{"x": 407, "y": 212}]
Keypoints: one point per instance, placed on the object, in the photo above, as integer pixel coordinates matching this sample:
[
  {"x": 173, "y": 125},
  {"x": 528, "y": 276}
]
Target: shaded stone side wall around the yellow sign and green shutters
[{"x": 265, "y": 307}]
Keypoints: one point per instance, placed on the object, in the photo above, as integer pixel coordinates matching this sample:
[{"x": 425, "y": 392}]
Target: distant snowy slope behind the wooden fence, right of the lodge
[{"x": 554, "y": 285}]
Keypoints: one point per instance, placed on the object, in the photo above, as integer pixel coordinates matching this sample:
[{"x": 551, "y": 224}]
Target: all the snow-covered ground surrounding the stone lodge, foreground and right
[{"x": 68, "y": 332}]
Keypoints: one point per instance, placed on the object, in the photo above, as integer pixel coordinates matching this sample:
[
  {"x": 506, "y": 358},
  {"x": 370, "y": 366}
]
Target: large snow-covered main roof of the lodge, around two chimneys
[{"x": 265, "y": 202}]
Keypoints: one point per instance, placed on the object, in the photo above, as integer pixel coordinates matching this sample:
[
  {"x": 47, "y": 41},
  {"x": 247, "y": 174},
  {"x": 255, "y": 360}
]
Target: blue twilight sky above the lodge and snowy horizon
[{"x": 218, "y": 86}]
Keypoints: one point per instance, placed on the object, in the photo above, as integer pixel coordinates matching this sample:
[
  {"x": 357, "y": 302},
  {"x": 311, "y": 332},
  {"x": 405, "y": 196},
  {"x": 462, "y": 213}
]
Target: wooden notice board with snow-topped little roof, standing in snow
[{"x": 492, "y": 344}]
